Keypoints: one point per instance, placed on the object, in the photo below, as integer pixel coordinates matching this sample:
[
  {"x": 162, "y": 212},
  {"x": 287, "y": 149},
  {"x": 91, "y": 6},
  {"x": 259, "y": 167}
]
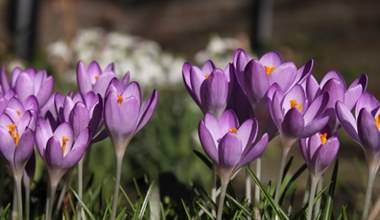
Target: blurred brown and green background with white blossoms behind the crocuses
[{"x": 152, "y": 39}]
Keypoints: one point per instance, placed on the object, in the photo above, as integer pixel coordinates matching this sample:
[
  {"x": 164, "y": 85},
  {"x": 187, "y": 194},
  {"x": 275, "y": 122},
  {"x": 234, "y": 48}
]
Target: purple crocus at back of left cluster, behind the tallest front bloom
[{"x": 93, "y": 78}]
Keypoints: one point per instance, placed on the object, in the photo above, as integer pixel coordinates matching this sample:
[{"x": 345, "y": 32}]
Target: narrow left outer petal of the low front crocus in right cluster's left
[{"x": 208, "y": 142}]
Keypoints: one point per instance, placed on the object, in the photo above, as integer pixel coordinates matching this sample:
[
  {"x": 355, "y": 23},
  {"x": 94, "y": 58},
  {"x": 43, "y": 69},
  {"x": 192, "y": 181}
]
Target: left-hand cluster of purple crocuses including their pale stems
[{"x": 63, "y": 126}]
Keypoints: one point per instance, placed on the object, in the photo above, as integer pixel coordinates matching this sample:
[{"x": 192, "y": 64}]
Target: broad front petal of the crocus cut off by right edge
[{"x": 368, "y": 132}]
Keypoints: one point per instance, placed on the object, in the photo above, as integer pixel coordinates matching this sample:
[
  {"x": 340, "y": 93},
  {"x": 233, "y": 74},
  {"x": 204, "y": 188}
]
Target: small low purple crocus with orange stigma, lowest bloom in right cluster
[{"x": 319, "y": 151}]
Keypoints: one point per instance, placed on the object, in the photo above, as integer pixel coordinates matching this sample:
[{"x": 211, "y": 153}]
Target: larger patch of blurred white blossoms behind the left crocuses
[{"x": 146, "y": 61}]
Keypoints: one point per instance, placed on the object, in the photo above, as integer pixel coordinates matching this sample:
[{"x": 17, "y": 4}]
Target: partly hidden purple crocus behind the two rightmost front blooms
[{"x": 334, "y": 84}]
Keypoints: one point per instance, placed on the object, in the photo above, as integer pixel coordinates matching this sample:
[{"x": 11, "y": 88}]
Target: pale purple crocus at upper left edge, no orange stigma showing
[{"x": 29, "y": 82}]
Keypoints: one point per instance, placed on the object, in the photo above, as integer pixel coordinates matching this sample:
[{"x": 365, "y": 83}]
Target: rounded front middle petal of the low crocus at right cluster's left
[{"x": 230, "y": 151}]
